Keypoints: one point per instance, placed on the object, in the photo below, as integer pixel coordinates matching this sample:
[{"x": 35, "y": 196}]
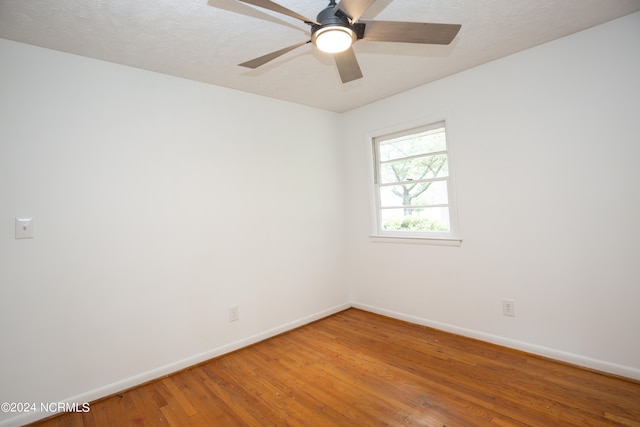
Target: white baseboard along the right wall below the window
[{"x": 575, "y": 359}]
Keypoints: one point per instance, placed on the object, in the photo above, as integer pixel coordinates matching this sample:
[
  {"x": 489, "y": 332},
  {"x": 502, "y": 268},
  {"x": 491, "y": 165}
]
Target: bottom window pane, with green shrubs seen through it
[{"x": 428, "y": 219}]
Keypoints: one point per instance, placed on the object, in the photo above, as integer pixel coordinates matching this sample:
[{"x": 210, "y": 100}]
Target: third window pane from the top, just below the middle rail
[{"x": 423, "y": 193}]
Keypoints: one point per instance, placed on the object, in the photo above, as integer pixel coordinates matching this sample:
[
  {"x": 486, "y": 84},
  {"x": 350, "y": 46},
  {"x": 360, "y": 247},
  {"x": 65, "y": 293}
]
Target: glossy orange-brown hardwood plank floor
[{"x": 360, "y": 369}]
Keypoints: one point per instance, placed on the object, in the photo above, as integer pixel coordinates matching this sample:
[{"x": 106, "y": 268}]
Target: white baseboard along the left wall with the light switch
[{"x": 153, "y": 374}]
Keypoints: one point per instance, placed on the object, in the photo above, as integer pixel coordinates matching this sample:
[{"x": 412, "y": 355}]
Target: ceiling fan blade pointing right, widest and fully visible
[{"x": 410, "y": 32}]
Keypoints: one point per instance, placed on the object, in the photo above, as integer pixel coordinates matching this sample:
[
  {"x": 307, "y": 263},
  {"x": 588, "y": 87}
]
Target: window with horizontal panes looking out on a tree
[{"x": 412, "y": 181}]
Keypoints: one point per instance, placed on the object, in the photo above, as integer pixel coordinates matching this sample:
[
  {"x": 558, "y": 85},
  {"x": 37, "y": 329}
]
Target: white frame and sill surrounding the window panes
[{"x": 450, "y": 238}]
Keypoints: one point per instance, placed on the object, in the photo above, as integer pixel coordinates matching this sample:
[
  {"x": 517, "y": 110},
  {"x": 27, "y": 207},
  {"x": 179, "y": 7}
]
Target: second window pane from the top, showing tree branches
[{"x": 414, "y": 169}]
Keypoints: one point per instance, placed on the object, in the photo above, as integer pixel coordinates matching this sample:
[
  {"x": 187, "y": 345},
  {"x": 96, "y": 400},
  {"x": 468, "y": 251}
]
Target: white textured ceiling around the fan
[{"x": 204, "y": 40}]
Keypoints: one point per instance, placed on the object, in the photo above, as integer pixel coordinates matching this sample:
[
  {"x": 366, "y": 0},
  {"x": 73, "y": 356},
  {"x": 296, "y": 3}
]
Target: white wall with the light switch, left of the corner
[{"x": 158, "y": 203}]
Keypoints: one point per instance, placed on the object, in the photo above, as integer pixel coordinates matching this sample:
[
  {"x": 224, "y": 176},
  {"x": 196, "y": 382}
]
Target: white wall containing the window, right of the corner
[{"x": 546, "y": 148}]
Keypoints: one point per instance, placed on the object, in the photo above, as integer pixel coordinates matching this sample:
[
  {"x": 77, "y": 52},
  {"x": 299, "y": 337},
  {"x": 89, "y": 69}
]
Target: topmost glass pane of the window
[{"x": 411, "y": 145}]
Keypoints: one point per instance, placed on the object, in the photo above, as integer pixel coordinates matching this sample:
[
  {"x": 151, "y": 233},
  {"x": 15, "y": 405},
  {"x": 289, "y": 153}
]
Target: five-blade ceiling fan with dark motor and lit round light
[{"x": 337, "y": 27}]
